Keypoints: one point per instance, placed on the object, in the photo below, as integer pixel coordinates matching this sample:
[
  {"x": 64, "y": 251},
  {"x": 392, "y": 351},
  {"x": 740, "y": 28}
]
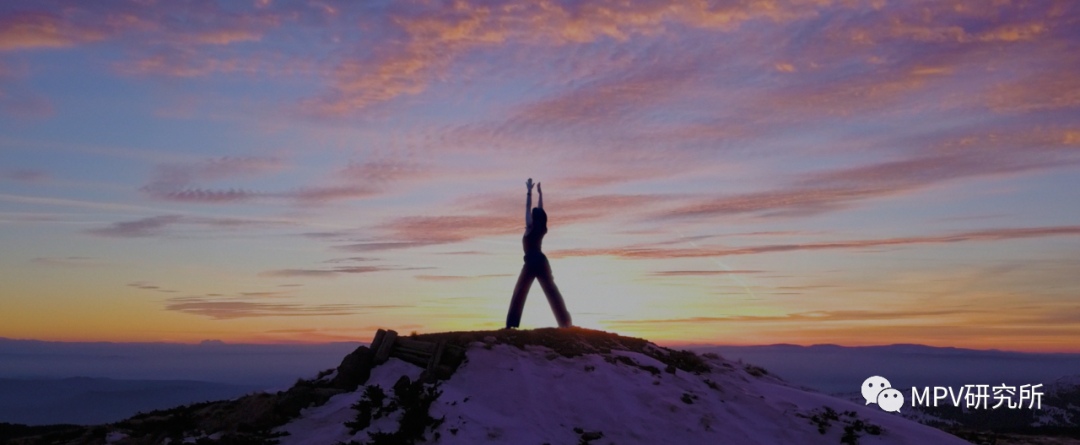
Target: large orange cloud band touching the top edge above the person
[{"x": 437, "y": 37}]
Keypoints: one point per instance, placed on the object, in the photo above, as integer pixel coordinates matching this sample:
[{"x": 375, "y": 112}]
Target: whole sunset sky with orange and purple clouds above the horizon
[{"x": 725, "y": 172}]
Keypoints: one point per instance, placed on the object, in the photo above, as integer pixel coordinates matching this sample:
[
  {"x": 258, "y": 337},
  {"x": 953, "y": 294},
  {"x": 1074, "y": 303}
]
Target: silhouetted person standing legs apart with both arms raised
[{"x": 536, "y": 265}]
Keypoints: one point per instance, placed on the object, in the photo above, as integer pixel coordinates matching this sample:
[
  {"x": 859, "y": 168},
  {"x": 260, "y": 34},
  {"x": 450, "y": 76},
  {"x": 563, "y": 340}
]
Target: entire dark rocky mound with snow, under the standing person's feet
[{"x": 523, "y": 387}]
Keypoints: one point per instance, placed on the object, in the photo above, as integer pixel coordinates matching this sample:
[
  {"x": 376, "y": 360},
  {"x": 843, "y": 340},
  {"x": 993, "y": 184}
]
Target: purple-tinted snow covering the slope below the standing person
[{"x": 506, "y": 395}]
